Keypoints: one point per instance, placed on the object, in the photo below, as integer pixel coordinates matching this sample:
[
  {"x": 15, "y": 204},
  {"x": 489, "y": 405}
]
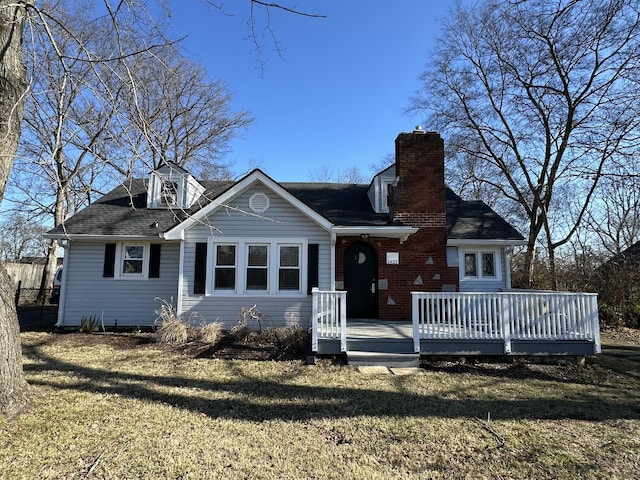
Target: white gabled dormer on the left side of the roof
[{"x": 171, "y": 186}]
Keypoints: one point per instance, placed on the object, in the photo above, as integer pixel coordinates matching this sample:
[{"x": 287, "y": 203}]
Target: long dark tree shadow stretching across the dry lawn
[{"x": 300, "y": 402}]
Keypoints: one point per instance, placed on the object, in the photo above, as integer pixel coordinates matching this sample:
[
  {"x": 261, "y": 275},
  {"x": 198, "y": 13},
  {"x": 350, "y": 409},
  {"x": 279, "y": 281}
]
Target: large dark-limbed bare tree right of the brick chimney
[{"x": 542, "y": 97}]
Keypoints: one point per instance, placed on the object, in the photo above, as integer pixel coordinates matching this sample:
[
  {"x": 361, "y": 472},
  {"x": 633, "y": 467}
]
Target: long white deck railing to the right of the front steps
[{"x": 505, "y": 316}]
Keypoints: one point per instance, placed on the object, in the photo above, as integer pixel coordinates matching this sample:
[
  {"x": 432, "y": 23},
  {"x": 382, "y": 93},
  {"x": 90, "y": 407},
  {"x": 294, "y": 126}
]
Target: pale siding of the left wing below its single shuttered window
[{"x": 87, "y": 292}]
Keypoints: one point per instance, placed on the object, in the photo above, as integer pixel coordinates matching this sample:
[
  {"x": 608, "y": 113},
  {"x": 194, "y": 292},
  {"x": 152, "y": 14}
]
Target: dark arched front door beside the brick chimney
[{"x": 360, "y": 280}]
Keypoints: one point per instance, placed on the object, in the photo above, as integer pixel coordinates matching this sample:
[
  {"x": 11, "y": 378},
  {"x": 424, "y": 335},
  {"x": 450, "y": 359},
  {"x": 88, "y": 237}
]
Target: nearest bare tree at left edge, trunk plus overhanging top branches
[{"x": 121, "y": 16}]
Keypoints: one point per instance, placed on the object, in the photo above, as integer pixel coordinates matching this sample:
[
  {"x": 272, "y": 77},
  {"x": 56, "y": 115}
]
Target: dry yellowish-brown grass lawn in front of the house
[{"x": 100, "y": 412}]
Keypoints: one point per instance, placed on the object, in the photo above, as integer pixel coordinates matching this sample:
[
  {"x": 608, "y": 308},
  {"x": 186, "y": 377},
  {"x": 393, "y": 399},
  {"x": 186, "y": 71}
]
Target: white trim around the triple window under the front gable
[{"x": 273, "y": 266}]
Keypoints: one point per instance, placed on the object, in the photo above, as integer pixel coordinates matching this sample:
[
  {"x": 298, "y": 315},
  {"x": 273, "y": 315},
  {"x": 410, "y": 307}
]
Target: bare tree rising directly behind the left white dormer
[{"x": 176, "y": 114}]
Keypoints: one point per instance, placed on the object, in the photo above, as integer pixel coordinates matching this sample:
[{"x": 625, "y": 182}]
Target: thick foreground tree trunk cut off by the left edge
[{"x": 12, "y": 87}]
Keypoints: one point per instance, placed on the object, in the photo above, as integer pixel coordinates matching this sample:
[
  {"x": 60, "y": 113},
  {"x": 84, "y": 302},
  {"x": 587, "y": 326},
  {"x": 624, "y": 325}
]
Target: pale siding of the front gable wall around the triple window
[{"x": 282, "y": 224}]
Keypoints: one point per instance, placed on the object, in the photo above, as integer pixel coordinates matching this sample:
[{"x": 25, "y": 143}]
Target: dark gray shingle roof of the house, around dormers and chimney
[{"x": 123, "y": 212}]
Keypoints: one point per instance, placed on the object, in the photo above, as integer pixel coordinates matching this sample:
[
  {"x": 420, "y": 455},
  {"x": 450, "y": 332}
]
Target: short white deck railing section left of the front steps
[{"x": 329, "y": 318}]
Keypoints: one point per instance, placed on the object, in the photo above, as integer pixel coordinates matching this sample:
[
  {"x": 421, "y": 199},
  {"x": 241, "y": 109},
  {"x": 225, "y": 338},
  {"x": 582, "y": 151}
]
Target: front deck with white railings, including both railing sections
[{"x": 464, "y": 324}]
